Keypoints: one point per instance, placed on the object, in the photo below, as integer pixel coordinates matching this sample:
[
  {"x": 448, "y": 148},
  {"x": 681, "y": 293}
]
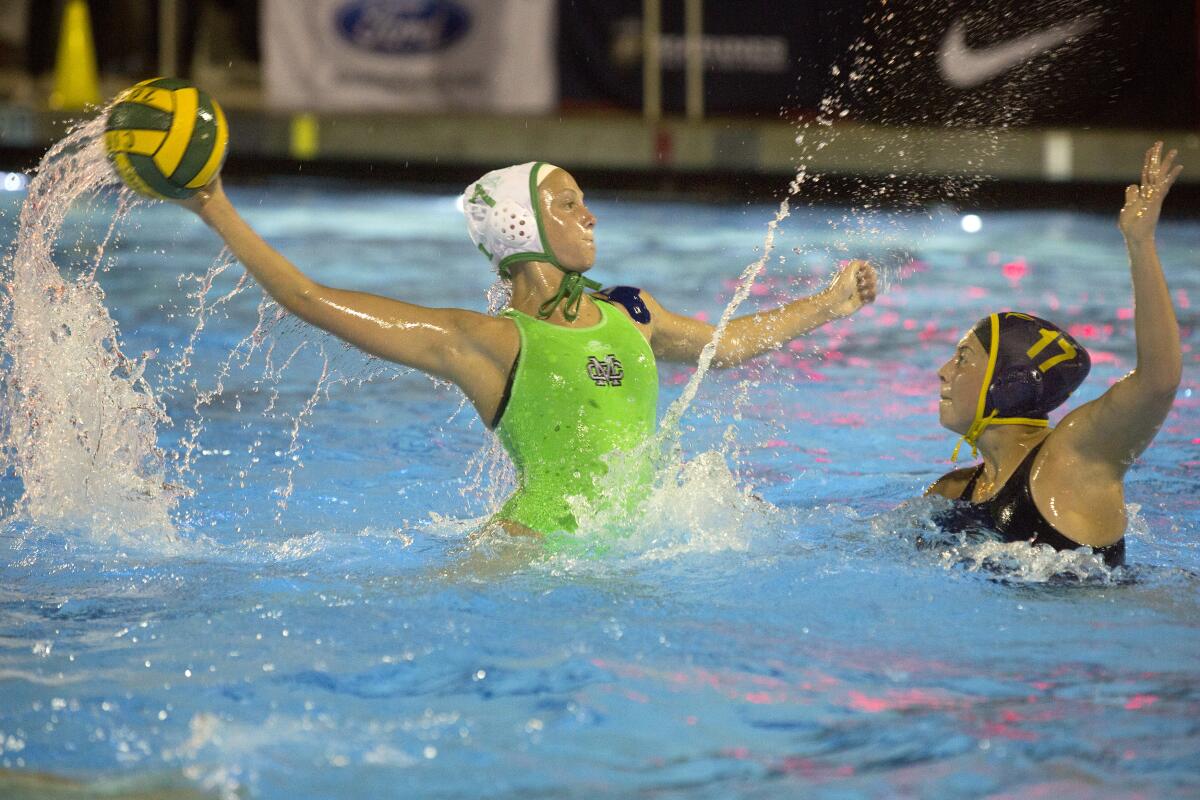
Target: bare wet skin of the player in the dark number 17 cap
[{"x": 1078, "y": 478}]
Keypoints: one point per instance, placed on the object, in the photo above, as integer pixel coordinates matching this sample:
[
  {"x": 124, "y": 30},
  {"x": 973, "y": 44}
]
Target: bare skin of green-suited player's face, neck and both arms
[{"x": 477, "y": 352}]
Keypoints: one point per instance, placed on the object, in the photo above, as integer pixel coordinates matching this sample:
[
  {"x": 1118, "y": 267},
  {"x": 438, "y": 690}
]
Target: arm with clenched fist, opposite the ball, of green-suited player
[{"x": 682, "y": 339}]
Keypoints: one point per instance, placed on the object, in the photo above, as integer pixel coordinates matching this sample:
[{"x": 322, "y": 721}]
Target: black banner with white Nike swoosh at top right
[{"x": 1124, "y": 63}]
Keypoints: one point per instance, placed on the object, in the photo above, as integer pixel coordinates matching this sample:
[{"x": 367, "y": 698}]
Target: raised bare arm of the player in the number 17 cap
[{"x": 1117, "y": 428}]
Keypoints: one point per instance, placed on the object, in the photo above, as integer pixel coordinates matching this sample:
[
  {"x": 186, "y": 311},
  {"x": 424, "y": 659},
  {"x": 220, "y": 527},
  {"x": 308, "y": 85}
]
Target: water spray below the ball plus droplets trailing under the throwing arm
[{"x": 82, "y": 418}]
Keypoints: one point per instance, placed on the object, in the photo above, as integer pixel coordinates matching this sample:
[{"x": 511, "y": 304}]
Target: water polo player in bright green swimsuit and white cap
[{"x": 565, "y": 377}]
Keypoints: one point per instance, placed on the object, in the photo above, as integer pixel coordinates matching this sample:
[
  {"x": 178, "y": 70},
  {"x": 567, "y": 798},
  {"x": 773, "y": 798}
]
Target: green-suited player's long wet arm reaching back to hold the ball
[{"x": 433, "y": 340}]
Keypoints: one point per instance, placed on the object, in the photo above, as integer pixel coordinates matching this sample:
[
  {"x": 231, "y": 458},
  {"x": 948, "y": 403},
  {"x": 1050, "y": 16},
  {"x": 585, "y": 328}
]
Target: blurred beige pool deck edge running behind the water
[{"x": 622, "y": 149}]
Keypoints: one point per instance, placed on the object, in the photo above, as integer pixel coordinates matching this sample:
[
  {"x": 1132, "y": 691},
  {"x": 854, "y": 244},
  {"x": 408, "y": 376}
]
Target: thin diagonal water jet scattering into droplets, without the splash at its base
[{"x": 883, "y": 208}]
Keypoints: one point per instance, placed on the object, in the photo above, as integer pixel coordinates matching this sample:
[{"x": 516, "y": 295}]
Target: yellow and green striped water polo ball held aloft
[{"x": 166, "y": 139}]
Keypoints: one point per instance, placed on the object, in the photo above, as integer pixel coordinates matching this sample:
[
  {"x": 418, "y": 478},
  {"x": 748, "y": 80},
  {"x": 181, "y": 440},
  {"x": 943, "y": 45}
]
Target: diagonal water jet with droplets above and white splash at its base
[{"x": 880, "y": 213}]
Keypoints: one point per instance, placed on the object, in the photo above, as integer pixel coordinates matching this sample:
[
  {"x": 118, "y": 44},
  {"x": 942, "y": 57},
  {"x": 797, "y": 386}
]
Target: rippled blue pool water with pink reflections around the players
[{"x": 316, "y": 624}]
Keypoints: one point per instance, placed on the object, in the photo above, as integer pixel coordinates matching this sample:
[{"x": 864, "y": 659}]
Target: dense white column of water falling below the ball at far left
[{"x": 82, "y": 418}]
